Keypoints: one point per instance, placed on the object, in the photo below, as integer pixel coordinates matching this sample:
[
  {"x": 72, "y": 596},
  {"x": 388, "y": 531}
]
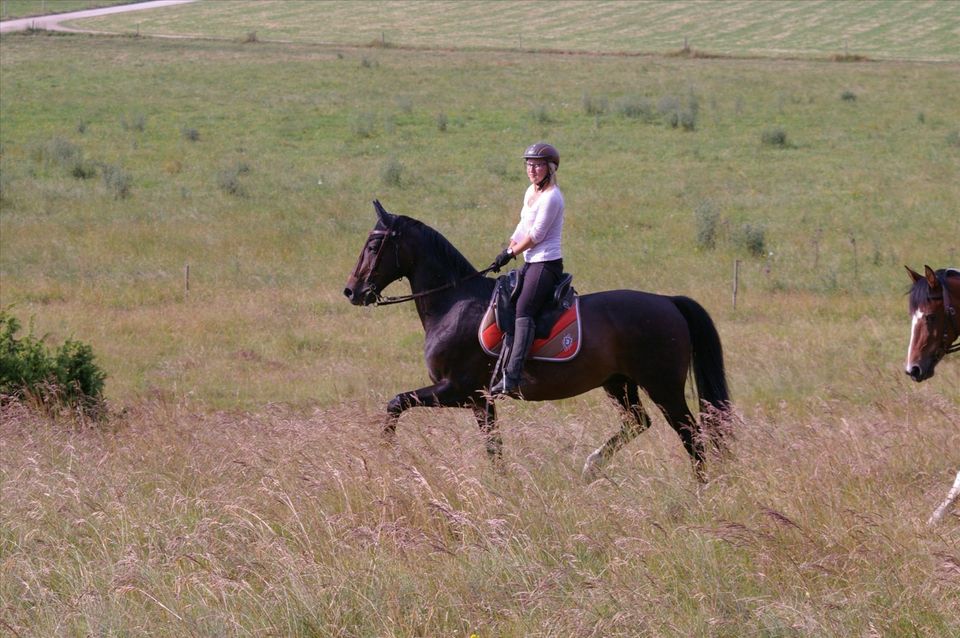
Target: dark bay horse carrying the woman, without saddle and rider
[{"x": 631, "y": 340}]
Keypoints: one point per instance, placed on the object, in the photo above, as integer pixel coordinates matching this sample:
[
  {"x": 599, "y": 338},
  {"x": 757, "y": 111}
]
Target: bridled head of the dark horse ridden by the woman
[{"x": 379, "y": 263}]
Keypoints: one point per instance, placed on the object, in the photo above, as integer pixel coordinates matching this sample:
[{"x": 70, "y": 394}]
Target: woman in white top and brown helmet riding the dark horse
[{"x": 538, "y": 237}]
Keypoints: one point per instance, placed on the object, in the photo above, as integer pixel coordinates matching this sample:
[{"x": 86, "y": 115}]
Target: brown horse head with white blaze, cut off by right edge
[{"x": 934, "y": 323}]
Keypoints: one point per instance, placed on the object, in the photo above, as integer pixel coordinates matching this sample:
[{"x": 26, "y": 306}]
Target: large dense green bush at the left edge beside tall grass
[{"x": 67, "y": 377}]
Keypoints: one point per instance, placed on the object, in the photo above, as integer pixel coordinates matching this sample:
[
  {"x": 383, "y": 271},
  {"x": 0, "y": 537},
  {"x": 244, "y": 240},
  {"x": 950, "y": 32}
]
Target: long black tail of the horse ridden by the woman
[{"x": 708, "y": 369}]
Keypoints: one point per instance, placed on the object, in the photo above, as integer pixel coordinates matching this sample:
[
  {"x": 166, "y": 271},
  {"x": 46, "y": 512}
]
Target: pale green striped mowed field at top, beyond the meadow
[{"x": 916, "y": 30}]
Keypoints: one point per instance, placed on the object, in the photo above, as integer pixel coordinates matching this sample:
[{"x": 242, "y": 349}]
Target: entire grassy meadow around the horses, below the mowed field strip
[{"x": 239, "y": 486}]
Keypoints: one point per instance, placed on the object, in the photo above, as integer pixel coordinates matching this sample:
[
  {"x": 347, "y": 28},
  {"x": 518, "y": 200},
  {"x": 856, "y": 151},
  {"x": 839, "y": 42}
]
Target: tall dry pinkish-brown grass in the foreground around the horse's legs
[{"x": 169, "y": 522}]
